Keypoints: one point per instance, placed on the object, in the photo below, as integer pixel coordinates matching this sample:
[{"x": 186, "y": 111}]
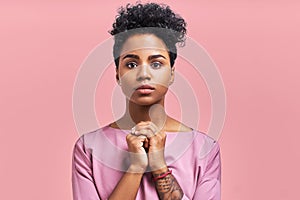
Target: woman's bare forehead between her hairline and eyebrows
[{"x": 140, "y": 42}]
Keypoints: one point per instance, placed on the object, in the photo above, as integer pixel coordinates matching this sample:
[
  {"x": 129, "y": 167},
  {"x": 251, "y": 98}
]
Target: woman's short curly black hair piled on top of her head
[{"x": 157, "y": 19}]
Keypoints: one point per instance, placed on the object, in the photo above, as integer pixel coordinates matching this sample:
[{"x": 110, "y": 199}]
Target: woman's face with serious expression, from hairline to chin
[{"x": 144, "y": 71}]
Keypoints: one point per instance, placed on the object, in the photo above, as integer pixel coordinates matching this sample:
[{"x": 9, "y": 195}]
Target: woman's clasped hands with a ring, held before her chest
[{"x": 146, "y": 145}]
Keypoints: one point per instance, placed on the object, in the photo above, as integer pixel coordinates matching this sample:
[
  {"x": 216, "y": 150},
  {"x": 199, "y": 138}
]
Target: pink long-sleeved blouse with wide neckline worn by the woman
[{"x": 100, "y": 159}]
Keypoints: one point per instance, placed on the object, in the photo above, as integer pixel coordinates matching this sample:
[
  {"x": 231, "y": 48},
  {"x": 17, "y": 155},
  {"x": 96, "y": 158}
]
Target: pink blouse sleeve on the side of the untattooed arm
[{"x": 83, "y": 184}]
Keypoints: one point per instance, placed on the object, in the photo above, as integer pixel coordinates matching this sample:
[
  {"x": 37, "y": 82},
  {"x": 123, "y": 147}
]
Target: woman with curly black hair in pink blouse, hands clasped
[{"x": 145, "y": 51}]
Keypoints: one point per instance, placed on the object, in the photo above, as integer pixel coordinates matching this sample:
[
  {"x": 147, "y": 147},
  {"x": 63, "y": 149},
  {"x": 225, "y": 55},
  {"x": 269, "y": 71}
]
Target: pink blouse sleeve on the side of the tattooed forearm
[{"x": 209, "y": 184}]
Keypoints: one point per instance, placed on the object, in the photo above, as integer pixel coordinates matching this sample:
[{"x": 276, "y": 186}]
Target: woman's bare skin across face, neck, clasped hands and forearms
[{"x": 145, "y": 60}]
